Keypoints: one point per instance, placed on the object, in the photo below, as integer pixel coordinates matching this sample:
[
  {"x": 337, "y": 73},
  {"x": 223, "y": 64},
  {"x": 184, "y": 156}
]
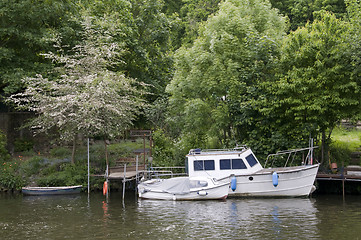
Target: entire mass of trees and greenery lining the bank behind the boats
[{"x": 269, "y": 74}]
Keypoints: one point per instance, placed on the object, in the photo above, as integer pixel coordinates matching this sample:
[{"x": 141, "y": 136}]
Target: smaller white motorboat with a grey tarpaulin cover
[{"x": 183, "y": 188}]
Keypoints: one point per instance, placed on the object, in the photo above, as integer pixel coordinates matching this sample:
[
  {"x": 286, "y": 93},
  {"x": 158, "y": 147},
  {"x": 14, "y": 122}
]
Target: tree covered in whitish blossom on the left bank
[{"x": 87, "y": 96}]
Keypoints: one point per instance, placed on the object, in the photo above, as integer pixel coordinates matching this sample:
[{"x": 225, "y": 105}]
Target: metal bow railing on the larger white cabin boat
[{"x": 291, "y": 153}]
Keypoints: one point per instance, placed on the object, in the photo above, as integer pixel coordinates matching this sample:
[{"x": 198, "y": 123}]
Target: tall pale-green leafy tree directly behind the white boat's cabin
[{"x": 216, "y": 80}]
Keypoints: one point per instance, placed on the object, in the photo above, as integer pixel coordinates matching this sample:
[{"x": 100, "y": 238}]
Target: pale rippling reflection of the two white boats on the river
[{"x": 244, "y": 218}]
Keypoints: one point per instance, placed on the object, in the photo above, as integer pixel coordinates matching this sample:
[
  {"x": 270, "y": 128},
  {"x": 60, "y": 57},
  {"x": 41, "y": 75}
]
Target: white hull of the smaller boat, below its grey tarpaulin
[{"x": 212, "y": 191}]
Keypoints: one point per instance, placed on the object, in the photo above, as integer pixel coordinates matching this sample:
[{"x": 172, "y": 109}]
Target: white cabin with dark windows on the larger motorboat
[{"x": 221, "y": 163}]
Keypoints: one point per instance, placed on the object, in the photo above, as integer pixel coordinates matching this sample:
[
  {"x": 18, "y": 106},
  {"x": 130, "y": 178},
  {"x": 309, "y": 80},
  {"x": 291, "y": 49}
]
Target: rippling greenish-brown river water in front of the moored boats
[{"x": 80, "y": 217}]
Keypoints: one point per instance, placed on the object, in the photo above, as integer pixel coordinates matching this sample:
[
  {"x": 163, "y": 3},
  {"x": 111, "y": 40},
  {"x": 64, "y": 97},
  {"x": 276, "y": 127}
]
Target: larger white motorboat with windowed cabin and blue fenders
[{"x": 242, "y": 169}]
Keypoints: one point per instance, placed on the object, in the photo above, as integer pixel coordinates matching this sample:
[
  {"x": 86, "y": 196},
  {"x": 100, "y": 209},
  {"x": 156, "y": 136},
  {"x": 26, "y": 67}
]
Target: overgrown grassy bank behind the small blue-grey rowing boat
[{"x": 54, "y": 168}]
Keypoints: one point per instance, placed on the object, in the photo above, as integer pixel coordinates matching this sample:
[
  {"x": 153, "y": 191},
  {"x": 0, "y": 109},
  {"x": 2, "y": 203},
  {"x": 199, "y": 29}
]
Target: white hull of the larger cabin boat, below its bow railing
[{"x": 292, "y": 182}]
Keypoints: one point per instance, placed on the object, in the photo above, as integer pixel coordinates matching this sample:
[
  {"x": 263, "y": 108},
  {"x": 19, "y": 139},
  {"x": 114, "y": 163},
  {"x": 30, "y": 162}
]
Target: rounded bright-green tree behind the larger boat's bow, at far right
[{"x": 316, "y": 88}]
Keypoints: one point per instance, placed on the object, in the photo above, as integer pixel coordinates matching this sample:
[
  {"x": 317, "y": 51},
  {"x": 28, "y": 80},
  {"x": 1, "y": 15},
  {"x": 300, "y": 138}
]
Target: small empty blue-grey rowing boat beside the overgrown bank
[{"x": 51, "y": 190}]
